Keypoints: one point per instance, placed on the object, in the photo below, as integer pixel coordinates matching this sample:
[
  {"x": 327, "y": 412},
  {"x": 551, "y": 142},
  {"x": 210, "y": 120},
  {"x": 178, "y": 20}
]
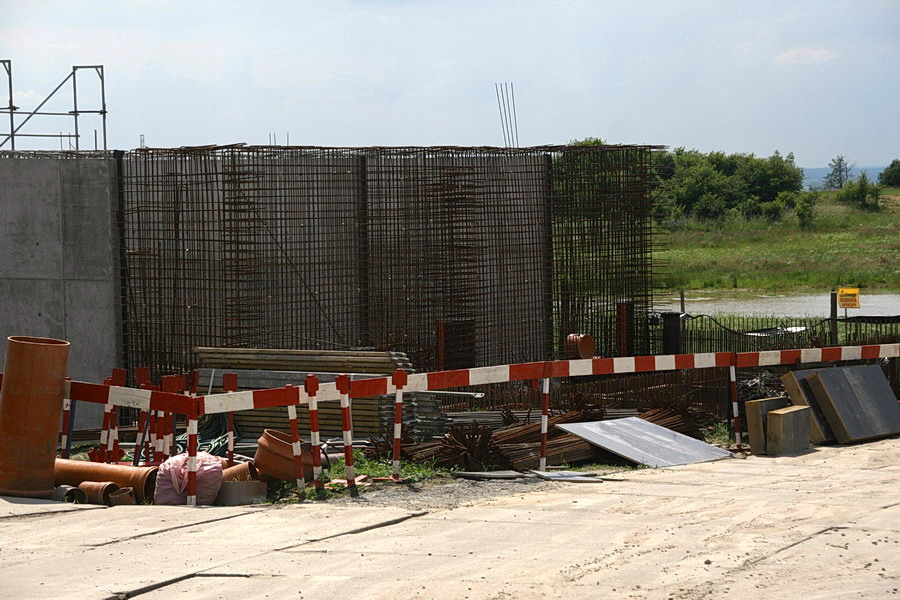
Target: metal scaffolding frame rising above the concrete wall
[{"x": 12, "y": 109}]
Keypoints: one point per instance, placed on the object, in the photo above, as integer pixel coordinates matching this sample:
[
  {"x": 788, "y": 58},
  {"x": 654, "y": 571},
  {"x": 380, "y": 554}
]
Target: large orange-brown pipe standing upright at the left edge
[{"x": 34, "y": 379}]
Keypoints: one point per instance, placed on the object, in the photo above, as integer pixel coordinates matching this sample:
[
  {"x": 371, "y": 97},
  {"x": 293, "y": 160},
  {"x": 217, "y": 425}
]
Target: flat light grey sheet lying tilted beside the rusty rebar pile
[{"x": 642, "y": 442}]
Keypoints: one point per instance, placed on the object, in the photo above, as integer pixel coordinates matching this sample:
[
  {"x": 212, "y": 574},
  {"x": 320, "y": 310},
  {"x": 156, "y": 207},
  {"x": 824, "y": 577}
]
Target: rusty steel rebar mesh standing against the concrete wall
[{"x": 459, "y": 257}]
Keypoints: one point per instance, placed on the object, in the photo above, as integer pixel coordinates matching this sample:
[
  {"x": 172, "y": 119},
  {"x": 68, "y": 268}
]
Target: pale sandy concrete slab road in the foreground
[{"x": 825, "y": 524}]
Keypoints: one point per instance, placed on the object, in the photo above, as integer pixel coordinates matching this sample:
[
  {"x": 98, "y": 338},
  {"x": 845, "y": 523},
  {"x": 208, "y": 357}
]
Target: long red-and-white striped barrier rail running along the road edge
[{"x": 344, "y": 390}]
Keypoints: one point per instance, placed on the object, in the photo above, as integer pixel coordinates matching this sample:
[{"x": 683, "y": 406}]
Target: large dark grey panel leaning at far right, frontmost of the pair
[{"x": 857, "y": 401}]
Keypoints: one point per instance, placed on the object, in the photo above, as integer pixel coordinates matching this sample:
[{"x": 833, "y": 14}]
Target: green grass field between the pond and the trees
[{"x": 845, "y": 246}]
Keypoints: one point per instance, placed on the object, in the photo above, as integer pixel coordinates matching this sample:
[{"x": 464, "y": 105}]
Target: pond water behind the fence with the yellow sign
[{"x": 781, "y": 305}]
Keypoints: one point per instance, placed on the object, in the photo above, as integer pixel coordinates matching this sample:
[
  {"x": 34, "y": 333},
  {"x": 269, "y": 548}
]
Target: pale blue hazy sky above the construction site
[{"x": 816, "y": 78}]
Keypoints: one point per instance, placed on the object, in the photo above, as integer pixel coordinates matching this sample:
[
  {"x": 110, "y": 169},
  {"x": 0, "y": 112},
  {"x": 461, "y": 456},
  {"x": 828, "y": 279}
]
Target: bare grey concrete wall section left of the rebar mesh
[{"x": 58, "y": 275}]
